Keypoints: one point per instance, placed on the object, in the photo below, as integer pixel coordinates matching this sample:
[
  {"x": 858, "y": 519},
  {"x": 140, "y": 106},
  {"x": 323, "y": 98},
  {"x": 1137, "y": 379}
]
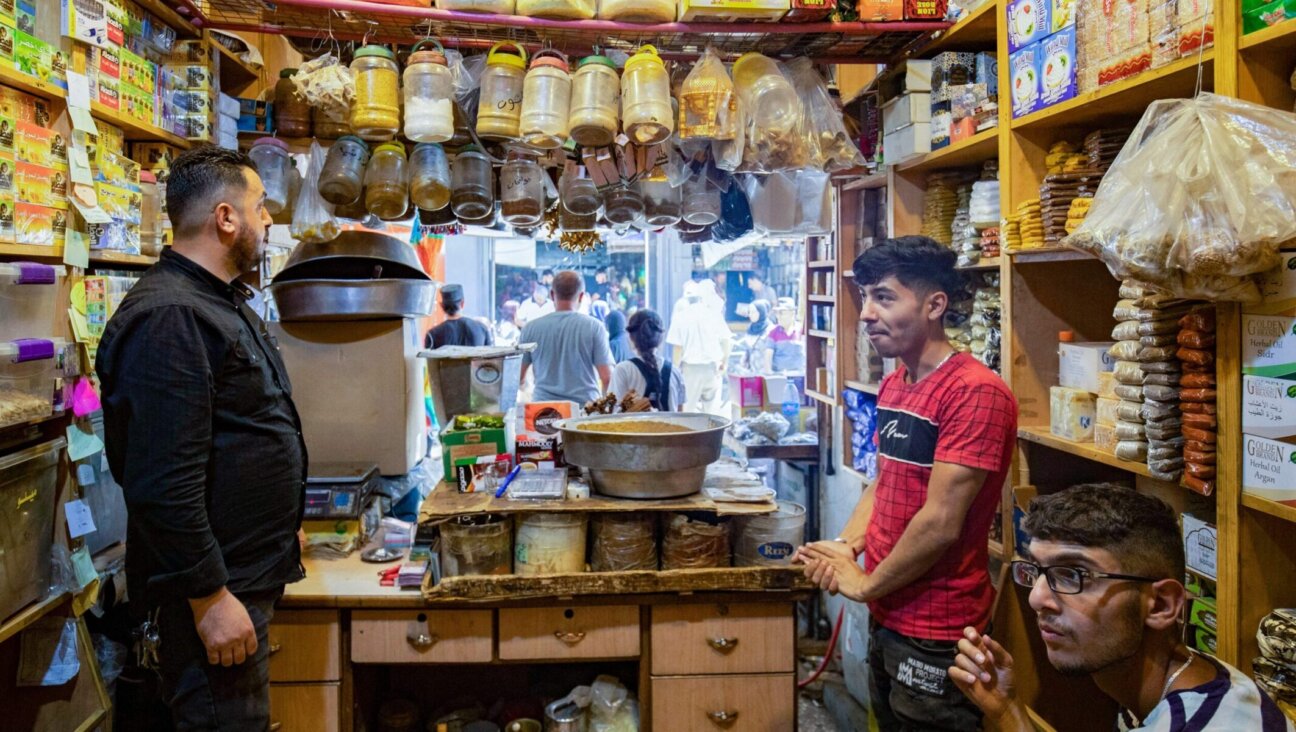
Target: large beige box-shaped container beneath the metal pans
[{"x": 358, "y": 388}]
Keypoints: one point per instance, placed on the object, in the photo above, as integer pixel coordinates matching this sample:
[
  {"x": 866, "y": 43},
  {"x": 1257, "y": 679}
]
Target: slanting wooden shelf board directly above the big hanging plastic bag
[{"x": 1124, "y": 99}]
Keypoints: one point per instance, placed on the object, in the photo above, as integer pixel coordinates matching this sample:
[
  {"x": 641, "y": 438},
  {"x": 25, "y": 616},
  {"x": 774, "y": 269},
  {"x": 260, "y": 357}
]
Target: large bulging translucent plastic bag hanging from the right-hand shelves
[{"x": 1199, "y": 200}]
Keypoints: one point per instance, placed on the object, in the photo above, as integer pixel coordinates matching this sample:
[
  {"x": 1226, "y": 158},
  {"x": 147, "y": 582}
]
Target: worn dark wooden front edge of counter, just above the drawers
[{"x": 494, "y": 589}]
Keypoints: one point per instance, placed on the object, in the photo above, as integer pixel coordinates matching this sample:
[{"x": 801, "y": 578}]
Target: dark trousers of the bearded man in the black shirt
[{"x": 205, "y": 696}]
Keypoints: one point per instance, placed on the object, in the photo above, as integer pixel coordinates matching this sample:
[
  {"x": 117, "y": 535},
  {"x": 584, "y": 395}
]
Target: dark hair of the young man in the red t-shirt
[{"x": 921, "y": 264}]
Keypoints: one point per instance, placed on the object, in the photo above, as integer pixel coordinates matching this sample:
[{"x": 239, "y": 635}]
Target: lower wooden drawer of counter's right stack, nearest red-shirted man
[{"x": 711, "y": 704}]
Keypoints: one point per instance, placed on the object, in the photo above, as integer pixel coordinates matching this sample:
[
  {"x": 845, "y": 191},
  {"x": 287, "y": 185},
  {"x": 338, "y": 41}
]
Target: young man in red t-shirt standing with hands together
[{"x": 947, "y": 427}]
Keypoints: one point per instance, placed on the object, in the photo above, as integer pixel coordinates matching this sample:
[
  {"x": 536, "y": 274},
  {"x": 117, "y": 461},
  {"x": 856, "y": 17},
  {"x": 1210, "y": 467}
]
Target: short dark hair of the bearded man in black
[{"x": 199, "y": 177}]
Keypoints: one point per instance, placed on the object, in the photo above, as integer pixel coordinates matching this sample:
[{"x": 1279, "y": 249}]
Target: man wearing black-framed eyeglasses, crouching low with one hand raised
[{"x": 1105, "y": 568}]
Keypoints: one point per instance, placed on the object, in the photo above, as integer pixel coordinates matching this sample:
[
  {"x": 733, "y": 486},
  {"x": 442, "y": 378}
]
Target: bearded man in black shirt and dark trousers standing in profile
[{"x": 204, "y": 437}]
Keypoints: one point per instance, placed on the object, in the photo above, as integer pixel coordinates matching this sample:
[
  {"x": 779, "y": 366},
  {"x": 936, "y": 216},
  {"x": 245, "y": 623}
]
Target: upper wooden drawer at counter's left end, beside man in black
[{"x": 305, "y": 646}]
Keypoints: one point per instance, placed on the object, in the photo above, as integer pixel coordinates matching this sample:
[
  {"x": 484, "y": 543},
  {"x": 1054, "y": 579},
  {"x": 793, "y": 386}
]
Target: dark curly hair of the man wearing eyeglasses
[{"x": 1140, "y": 531}]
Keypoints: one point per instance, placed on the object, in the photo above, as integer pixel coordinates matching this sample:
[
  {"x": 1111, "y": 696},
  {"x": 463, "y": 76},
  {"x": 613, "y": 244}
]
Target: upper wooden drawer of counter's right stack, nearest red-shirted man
[{"x": 756, "y": 638}]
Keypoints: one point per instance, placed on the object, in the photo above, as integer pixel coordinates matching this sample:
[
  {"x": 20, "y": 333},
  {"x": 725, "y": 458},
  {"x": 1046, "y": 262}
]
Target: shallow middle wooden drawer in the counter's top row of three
[{"x": 570, "y": 633}]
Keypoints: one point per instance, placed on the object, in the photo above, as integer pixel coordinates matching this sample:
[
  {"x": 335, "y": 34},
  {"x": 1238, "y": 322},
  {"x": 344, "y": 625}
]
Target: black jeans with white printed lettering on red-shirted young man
[{"x": 910, "y": 686}]
